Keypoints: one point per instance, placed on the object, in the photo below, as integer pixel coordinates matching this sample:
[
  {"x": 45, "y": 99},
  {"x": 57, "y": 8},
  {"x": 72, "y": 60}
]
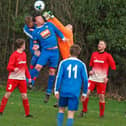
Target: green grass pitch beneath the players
[{"x": 45, "y": 114}]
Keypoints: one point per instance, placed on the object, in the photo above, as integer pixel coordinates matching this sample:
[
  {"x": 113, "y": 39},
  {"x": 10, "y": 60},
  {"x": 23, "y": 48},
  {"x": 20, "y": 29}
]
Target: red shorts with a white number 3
[{"x": 12, "y": 84}]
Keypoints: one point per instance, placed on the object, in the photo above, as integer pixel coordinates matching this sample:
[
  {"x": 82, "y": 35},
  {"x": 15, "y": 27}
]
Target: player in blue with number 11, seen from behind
[{"x": 71, "y": 77}]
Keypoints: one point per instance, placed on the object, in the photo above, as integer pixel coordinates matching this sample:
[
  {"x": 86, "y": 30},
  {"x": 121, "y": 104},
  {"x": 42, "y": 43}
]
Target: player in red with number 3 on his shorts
[{"x": 18, "y": 71}]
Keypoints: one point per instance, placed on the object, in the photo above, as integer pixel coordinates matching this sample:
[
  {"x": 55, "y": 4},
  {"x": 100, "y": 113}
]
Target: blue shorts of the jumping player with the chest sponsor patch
[{"x": 49, "y": 56}]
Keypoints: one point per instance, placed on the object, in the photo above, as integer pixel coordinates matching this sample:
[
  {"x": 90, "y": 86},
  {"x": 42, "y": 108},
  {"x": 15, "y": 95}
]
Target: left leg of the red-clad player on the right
[{"x": 91, "y": 87}]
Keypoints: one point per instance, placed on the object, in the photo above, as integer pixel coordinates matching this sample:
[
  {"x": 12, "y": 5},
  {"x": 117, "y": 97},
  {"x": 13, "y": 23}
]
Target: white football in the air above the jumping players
[{"x": 39, "y": 5}]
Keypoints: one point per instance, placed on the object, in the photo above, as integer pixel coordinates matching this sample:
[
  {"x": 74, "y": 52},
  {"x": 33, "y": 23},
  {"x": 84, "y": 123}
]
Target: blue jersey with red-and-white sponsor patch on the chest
[{"x": 47, "y": 35}]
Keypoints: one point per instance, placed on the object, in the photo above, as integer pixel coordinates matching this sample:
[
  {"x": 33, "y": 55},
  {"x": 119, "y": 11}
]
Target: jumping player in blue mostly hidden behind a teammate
[{"x": 28, "y": 30}]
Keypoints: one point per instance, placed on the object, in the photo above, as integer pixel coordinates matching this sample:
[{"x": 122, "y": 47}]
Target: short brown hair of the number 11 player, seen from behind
[{"x": 75, "y": 50}]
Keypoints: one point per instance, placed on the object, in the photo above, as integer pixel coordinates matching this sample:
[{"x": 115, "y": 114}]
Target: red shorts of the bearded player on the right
[{"x": 101, "y": 87}]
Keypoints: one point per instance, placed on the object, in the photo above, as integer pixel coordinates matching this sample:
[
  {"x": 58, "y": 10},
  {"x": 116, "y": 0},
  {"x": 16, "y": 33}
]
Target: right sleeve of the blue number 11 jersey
[{"x": 85, "y": 80}]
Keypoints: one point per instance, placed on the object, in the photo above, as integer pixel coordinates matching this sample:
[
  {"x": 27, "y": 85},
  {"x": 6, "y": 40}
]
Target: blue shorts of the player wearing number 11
[{"x": 70, "y": 102}]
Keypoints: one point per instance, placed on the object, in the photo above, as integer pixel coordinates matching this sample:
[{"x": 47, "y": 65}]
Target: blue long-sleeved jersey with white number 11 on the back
[{"x": 71, "y": 77}]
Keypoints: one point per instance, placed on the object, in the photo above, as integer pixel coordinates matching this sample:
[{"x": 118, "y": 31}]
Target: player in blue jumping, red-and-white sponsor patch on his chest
[{"x": 46, "y": 35}]
